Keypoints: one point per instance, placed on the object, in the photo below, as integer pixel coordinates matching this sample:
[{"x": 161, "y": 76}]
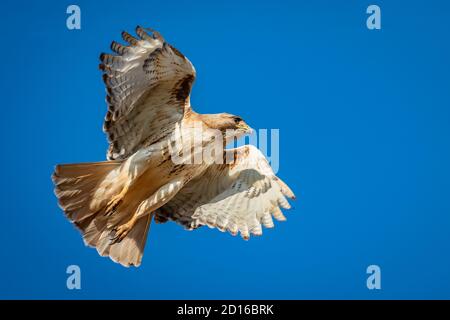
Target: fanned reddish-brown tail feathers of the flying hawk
[{"x": 77, "y": 187}]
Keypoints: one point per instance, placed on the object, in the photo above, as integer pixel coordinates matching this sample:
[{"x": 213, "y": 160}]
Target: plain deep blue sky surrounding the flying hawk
[{"x": 364, "y": 119}]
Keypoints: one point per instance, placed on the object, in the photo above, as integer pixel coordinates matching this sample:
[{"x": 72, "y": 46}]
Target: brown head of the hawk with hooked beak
[{"x": 230, "y": 125}]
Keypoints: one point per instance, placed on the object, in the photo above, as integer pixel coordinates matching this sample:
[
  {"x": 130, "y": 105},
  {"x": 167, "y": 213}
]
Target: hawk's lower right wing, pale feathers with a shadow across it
[{"x": 237, "y": 197}]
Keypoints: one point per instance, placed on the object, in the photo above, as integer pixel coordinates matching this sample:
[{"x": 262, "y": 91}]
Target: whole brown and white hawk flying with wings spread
[{"x": 150, "y": 125}]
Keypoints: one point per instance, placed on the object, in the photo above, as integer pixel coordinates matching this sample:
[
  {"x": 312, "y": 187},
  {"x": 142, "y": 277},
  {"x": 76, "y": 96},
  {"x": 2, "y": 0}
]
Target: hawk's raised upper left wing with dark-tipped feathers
[{"x": 148, "y": 84}]
